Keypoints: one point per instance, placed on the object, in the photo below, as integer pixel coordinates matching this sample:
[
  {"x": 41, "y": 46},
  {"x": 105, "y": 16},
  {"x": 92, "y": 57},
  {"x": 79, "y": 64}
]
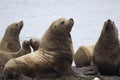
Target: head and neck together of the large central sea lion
[{"x": 58, "y": 35}]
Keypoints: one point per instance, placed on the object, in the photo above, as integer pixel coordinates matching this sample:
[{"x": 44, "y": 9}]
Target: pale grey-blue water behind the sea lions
[{"x": 89, "y": 17}]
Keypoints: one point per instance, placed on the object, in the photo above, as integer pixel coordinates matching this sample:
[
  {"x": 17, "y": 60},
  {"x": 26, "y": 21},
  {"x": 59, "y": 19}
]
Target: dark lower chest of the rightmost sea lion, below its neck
[{"x": 107, "y": 62}]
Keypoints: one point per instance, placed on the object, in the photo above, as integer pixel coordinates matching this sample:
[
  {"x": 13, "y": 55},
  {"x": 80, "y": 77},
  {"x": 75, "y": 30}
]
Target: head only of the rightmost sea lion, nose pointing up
[{"x": 109, "y": 33}]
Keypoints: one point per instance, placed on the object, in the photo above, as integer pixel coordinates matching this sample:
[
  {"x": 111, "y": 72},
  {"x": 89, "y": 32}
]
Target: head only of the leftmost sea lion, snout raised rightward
[{"x": 14, "y": 29}]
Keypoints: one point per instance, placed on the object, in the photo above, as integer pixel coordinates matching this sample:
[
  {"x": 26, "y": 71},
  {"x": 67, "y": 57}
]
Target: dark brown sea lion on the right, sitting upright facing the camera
[{"x": 106, "y": 54}]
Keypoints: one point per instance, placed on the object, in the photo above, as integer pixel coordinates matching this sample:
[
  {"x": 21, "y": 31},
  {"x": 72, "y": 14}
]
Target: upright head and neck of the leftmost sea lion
[{"x": 10, "y": 41}]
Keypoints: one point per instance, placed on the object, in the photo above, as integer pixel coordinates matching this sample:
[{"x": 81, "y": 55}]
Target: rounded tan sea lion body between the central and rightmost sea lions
[{"x": 83, "y": 56}]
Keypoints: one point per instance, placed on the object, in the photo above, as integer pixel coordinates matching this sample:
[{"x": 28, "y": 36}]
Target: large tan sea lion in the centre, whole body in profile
[{"x": 53, "y": 58}]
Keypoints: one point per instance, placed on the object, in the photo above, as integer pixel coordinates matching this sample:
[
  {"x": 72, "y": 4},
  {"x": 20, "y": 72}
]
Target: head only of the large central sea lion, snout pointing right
[{"x": 62, "y": 25}]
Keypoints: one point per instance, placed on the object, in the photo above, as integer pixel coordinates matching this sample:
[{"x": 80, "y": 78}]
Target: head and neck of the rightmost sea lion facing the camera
[{"x": 109, "y": 36}]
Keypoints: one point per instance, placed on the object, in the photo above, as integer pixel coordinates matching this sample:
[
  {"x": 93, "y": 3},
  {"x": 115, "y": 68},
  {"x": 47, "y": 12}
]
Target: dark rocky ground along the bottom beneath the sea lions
[{"x": 78, "y": 76}]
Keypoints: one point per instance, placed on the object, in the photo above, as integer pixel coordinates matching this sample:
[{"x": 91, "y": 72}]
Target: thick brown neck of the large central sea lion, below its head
[{"x": 52, "y": 42}]
